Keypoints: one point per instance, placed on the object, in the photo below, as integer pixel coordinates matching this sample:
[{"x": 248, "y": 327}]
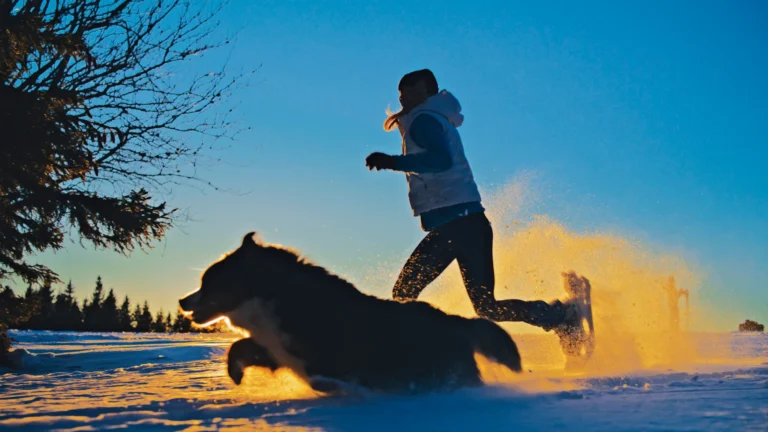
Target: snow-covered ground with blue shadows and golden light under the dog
[{"x": 178, "y": 382}]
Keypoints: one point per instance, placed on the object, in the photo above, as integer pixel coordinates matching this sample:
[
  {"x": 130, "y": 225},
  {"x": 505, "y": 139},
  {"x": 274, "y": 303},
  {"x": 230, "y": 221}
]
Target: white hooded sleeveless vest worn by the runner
[{"x": 430, "y": 191}]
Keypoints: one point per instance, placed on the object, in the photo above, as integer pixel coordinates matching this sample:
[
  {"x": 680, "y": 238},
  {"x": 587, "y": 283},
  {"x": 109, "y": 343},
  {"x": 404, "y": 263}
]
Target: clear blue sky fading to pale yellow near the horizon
[{"x": 648, "y": 118}]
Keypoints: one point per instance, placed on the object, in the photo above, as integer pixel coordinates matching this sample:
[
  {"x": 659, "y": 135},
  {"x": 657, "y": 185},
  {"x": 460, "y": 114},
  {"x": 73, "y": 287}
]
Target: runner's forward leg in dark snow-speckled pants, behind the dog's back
[{"x": 430, "y": 258}]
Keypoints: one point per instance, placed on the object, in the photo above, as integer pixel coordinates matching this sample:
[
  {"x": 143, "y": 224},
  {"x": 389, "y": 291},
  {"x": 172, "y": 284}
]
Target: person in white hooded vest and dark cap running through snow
[{"x": 443, "y": 194}]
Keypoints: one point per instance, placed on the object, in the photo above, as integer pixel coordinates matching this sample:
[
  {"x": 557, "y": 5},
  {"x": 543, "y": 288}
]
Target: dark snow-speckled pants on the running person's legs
[{"x": 469, "y": 240}]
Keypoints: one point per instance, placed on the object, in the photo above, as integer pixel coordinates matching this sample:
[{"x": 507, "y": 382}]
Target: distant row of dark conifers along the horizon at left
[{"x": 42, "y": 309}]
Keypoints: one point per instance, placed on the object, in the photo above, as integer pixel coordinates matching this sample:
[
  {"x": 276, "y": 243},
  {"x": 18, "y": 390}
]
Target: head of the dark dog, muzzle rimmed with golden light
[{"x": 252, "y": 270}]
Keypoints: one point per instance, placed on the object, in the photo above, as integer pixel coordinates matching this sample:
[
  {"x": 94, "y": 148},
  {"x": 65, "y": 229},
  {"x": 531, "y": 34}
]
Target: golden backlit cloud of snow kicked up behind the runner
[{"x": 632, "y": 313}]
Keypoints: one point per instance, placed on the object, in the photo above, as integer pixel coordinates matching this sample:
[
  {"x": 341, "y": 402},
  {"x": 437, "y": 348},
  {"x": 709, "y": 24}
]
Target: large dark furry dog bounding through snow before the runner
[{"x": 301, "y": 317}]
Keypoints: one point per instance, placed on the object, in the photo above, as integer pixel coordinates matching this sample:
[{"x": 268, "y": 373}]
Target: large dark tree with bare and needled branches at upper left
[{"x": 97, "y": 111}]
